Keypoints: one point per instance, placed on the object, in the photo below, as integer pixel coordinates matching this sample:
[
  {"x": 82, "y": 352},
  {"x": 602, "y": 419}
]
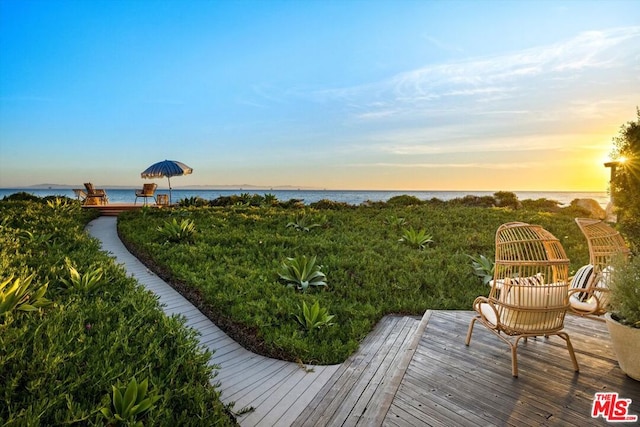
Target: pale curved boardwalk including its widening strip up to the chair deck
[{"x": 280, "y": 391}]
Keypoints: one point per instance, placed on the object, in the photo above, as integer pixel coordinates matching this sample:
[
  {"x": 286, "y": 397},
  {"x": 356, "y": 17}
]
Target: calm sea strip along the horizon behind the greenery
[{"x": 309, "y": 196}]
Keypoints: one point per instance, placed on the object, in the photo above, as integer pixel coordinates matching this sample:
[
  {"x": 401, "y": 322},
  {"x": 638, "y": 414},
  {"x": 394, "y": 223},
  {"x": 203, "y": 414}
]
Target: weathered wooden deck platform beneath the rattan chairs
[{"x": 448, "y": 383}]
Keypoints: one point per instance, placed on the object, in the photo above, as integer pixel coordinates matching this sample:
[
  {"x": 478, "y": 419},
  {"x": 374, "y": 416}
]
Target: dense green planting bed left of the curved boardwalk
[{"x": 76, "y": 333}]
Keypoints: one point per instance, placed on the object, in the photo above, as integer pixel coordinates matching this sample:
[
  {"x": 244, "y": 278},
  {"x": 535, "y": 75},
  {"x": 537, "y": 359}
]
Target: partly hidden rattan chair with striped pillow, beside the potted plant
[{"x": 589, "y": 290}]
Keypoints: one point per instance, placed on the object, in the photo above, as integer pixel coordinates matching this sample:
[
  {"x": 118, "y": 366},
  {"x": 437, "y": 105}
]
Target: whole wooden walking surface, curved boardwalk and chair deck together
[{"x": 408, "y": 371}]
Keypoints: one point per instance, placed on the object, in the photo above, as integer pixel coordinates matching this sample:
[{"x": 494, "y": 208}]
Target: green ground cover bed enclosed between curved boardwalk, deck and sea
[{"x": 232, "y": 268}]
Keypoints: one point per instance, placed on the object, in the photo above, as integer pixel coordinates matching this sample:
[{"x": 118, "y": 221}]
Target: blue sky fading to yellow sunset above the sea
[{"x": 398, "y": 95}]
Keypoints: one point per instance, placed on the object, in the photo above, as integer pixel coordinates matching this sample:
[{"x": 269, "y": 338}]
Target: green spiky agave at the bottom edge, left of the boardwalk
[{"x": 129, "y": 403}]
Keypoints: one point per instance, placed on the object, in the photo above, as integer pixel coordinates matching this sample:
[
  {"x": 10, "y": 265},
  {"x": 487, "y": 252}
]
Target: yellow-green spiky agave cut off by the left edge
[{"x": 21, "y": 294}]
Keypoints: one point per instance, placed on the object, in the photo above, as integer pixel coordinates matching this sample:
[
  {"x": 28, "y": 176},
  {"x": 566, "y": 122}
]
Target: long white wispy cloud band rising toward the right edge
[{"x": 489, "y": 78}]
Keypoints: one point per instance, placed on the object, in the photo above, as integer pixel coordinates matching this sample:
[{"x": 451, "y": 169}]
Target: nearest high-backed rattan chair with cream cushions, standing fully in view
[{"x": 529, "y": 292}]
